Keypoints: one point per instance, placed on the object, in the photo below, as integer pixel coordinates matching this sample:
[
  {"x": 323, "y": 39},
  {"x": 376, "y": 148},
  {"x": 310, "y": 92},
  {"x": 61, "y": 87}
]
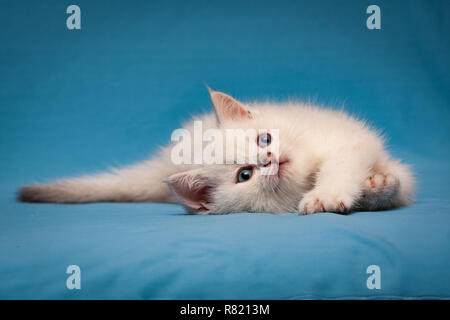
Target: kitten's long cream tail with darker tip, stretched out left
[{"x": 138, "y": 183}]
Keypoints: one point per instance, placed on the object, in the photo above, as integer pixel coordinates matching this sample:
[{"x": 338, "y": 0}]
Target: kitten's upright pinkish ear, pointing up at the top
[{"x": 227, "y": 108}]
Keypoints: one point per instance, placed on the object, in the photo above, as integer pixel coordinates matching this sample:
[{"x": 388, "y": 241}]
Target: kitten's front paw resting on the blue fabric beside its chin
[{"x": 316, "y": 201}]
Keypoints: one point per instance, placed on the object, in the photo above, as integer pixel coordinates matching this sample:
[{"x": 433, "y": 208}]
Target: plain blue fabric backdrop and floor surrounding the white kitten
[{"x": 75, "y": 102}]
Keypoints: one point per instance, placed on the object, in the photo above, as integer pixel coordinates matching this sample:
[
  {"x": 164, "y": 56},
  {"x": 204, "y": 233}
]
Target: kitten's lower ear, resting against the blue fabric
[{"x": 193, "y": 189}]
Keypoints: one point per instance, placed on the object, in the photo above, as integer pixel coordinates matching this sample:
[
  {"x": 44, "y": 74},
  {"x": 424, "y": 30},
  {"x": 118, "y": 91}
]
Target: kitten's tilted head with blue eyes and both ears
[{"x": 263, "y": 180}]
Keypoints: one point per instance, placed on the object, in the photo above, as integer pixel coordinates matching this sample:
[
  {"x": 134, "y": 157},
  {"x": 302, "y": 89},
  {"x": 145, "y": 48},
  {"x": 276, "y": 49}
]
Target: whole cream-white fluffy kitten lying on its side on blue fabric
[{"x": 327, "y": 161}]
